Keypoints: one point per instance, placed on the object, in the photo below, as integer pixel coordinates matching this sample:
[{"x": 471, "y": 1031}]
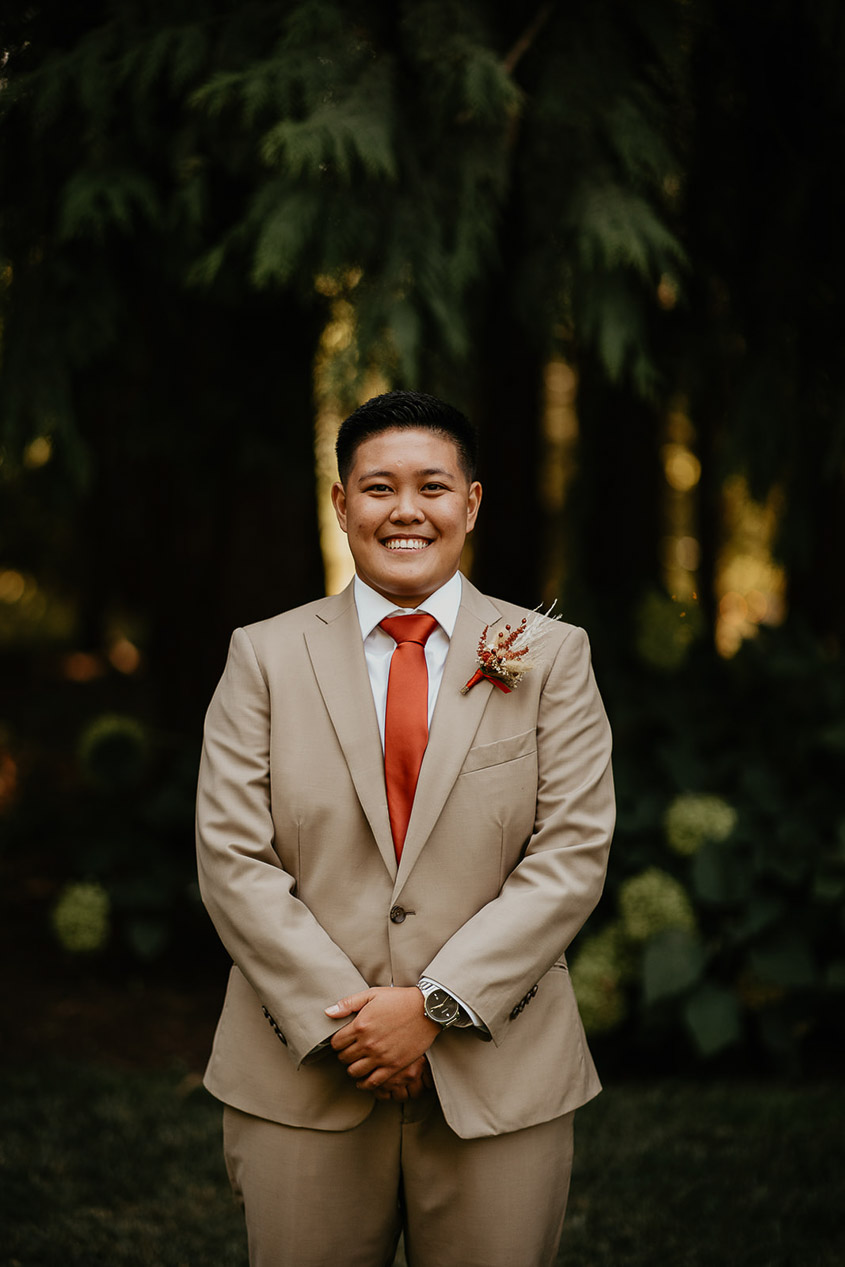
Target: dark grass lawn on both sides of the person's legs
[{"x": 103, "y": 1168}]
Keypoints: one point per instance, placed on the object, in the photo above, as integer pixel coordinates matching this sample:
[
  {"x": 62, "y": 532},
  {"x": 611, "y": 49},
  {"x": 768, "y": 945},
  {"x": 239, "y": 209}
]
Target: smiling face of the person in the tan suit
[{"x": 406, "y": 509}]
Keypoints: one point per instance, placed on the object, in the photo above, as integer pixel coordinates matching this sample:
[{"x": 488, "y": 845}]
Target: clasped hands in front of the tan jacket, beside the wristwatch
[{"x": 384, "y": 1046}]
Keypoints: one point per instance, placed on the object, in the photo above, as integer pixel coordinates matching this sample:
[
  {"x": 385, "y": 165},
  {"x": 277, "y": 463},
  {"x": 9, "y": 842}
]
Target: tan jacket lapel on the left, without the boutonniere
[{"x": 336, "y": 653}]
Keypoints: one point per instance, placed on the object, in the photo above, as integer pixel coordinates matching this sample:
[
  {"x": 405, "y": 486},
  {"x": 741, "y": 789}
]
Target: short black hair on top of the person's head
[{"x": 406, "y": 411}]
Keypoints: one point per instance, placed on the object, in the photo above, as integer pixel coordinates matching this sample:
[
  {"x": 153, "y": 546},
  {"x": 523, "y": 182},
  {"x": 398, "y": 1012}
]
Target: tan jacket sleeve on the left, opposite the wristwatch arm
[{"x": 291, "y": 962}]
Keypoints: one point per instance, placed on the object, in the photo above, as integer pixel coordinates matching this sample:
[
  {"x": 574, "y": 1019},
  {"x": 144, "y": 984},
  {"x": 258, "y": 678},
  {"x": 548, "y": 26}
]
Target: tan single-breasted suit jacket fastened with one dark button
[{"x": 505, "y": 860}]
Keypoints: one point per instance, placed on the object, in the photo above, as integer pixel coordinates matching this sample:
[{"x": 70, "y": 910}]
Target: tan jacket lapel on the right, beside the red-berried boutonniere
[{"x": 454, "y": 725}]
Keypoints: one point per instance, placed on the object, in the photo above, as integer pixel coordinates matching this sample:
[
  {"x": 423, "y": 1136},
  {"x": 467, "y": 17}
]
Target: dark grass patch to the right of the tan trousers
[{"x": 709, "y": 1176}]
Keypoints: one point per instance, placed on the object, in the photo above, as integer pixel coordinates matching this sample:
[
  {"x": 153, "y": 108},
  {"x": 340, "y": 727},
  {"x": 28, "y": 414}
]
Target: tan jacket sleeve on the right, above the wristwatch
[{"x": 507, "y": 947}]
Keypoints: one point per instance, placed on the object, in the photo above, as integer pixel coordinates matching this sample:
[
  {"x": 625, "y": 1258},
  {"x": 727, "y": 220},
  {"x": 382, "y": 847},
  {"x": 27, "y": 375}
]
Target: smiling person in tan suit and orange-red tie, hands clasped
[{"x": 400, "y": 1047}]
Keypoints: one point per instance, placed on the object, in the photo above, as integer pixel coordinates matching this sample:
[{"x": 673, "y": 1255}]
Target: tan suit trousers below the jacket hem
[{"x": 340, "y": 1199}]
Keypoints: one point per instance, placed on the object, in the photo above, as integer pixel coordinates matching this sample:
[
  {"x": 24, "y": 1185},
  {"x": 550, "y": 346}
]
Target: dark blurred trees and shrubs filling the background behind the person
[{"x": 613, "y": 234}]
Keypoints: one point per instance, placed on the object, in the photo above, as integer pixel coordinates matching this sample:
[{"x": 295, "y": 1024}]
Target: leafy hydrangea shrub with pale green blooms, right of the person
[{"x": 728, "y": 872}]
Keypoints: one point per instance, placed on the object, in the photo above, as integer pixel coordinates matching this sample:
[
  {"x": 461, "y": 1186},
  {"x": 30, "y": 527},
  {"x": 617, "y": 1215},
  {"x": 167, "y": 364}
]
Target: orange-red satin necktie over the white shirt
[{"x": 406, "y": 720}]
